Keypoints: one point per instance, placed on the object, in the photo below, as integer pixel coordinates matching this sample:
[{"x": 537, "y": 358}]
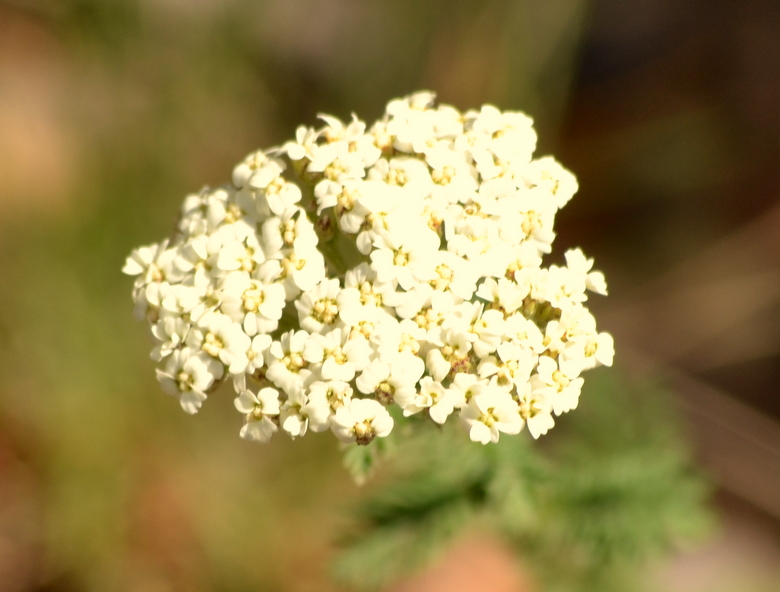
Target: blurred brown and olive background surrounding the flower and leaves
[{"x": 110, "y": 111}]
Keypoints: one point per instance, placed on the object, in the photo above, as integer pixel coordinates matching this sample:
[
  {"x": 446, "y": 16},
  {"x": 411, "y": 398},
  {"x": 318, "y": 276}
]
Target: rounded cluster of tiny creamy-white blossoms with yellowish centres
[{"x": 357, "y": 270}]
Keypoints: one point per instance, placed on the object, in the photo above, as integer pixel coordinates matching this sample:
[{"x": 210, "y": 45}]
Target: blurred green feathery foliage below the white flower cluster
[{"x": 614, "y": 490}]
